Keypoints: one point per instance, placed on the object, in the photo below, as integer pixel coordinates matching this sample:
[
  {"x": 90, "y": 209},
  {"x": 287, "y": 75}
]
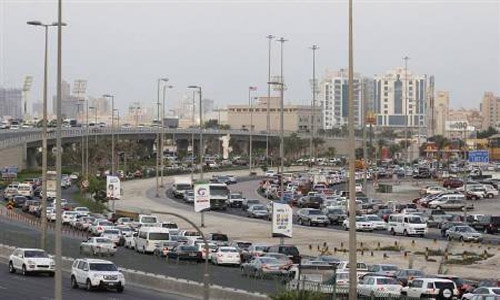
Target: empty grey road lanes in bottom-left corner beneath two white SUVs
[{"x": 41, "y": 287}]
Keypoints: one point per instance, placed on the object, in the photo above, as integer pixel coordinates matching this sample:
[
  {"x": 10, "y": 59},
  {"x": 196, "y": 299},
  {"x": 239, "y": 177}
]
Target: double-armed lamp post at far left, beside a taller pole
[{"x": 43, "y": 238}]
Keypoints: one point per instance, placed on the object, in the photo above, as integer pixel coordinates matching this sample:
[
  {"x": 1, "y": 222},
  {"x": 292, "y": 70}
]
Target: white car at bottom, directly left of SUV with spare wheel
[{"x": 379, "y": 286}]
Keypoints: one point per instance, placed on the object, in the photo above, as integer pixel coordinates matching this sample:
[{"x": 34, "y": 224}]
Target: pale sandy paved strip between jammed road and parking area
[{"x": 139, "y": 197}]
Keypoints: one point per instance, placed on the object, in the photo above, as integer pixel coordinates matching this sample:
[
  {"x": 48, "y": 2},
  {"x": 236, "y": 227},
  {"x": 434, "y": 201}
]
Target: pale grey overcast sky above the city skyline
[{"x": 123, "y": 47}]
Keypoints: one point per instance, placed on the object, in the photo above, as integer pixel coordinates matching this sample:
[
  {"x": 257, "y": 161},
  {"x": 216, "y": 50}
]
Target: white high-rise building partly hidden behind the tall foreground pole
[{"x": 334, "y": 99}]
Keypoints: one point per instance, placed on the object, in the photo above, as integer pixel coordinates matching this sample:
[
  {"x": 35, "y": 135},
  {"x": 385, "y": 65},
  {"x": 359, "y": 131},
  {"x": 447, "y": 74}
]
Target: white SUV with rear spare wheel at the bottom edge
[{"x": 431, "y": 287}]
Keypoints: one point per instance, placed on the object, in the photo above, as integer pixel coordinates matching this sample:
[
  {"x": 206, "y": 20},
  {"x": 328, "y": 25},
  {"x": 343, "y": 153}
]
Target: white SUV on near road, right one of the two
[{"x": 96, "y": 273}]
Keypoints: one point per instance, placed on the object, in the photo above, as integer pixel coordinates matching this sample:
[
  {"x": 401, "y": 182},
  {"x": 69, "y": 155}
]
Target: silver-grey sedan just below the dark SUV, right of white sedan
[{"x": 261, "y": 267}]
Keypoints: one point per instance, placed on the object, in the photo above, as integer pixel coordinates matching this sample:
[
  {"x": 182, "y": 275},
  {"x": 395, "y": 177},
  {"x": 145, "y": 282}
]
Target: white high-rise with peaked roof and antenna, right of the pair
[{"x": 400, "y": 99}]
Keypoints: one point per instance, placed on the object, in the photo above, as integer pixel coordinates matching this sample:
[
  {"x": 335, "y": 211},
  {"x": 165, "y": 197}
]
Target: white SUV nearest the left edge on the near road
[{"x": 29, "y": 261}]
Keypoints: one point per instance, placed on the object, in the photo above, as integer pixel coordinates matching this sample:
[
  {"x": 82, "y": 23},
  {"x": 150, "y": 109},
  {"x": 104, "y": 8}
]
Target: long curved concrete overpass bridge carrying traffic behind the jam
[{"x": 19, "y": 147}]
